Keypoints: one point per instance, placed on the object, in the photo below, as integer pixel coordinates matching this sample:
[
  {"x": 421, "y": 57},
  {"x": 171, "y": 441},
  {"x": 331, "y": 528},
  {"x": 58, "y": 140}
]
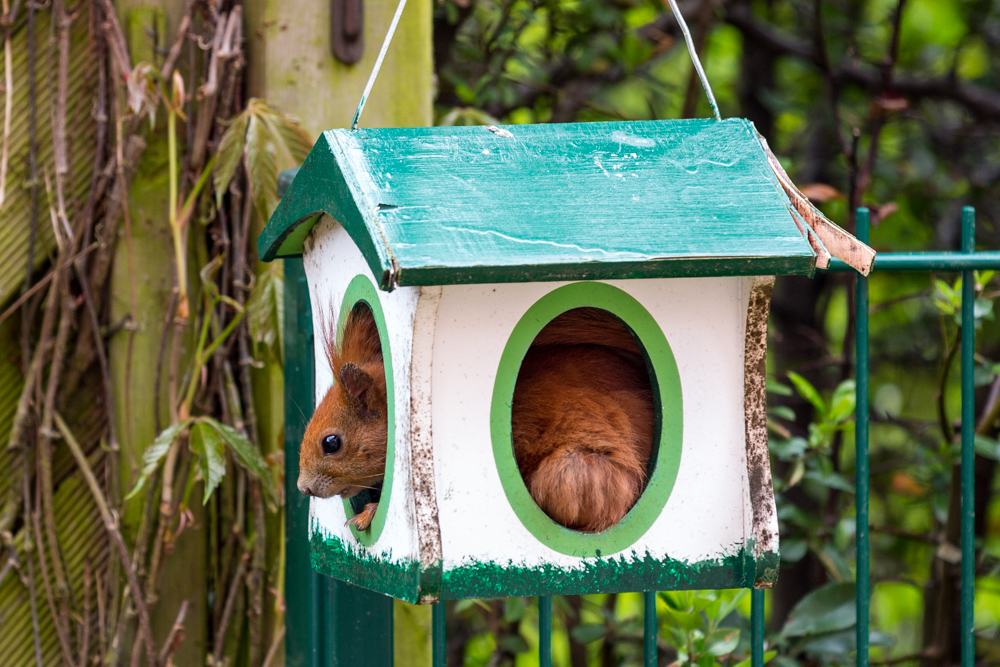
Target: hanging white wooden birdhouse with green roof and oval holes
[{"x": 465, "y": 242}]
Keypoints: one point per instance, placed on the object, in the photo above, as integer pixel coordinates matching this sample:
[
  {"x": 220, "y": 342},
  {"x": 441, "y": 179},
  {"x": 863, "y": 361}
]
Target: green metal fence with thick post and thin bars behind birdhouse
[{"x": 334, "y": 624}]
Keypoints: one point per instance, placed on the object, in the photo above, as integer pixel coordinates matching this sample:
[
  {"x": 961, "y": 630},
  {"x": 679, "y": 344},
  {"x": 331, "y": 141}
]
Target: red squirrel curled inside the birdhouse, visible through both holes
[{"x": 582, "y": 420}]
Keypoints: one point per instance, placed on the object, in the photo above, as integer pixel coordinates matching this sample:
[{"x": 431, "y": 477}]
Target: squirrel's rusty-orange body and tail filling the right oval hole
[{"x": 582, "y": 420}]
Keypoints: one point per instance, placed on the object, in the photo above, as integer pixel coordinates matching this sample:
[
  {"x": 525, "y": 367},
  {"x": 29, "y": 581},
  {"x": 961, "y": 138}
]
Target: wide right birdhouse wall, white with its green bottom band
[{"x": 700, "y": 539}]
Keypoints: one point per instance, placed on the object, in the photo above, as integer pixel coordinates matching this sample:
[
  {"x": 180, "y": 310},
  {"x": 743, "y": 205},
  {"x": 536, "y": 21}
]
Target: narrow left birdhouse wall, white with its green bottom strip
[{"x": 389, "y": 563}]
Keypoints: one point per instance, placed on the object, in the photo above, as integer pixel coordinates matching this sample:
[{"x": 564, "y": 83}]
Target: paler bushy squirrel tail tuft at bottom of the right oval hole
[{"x": 588, "y": 487}]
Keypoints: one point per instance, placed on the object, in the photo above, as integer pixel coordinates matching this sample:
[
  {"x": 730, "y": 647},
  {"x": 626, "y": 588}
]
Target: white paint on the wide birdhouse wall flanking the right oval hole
[{"x": 703, "y": 320}]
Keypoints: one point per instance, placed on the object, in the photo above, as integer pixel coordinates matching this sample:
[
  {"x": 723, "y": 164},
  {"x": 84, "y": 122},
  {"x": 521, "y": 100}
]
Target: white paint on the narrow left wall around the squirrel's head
[{"x": 331, "y": 260}]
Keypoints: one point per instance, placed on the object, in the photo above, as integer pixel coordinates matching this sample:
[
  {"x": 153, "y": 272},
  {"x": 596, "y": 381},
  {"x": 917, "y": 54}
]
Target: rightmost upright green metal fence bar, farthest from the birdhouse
[{"x": 968, "y": 441}]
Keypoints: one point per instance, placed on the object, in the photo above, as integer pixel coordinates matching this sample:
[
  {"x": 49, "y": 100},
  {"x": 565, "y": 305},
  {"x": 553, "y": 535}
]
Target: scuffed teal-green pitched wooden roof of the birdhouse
[{"x": 518, "y": 203}]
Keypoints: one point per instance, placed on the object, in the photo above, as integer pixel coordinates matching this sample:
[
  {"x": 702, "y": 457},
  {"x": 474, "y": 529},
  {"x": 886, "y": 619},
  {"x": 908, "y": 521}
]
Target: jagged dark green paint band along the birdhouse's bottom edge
[{"x": 403, "y": 579}]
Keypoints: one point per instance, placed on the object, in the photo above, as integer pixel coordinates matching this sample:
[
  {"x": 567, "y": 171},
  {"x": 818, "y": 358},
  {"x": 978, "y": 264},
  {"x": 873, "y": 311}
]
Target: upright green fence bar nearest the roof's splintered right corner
[{"x": 861, "y": 449}]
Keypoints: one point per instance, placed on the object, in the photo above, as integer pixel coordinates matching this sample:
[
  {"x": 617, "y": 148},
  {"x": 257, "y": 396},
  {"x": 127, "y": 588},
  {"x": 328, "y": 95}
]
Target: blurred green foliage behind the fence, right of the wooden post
[{"x": 890, "y": 104}]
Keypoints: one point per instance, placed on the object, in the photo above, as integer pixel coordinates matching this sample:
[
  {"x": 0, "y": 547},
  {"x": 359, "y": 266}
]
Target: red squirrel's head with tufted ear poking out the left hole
[{"x": 344, "y": 447}]
